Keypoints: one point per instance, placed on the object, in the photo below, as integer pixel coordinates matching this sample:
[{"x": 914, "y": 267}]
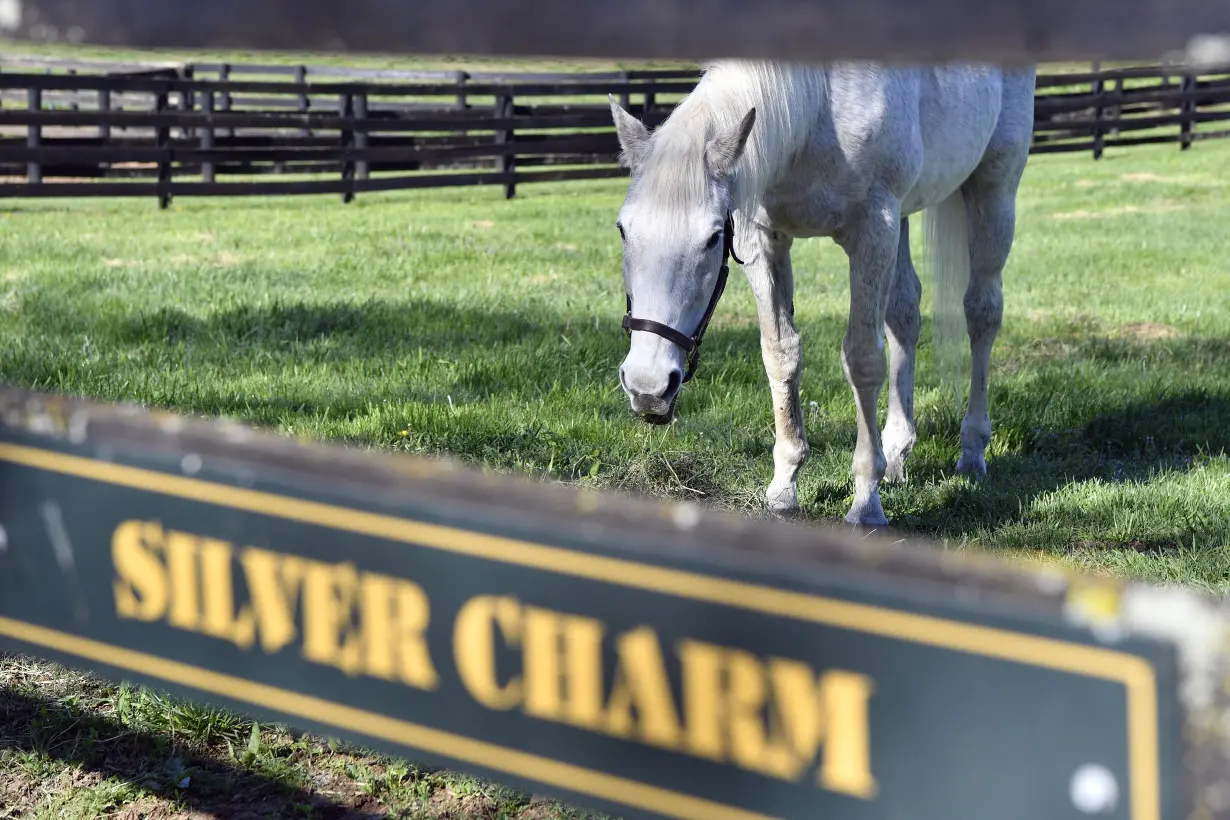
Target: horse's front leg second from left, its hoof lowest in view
[{"x": 871, "y": 243}]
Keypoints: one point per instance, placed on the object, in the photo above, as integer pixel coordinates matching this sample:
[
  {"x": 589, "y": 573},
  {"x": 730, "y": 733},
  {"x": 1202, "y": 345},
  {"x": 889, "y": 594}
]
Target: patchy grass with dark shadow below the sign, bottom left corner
[{"x": 74, "y": 748}]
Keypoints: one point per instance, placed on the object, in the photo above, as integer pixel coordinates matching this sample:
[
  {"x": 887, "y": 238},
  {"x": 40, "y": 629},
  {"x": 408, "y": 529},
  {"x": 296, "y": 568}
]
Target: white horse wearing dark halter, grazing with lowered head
[{"x": 844, "y": 151}]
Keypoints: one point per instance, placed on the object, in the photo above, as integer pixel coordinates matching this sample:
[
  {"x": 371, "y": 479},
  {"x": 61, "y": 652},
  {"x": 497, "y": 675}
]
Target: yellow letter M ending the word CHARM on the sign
[{"x": 832, "y": 711}]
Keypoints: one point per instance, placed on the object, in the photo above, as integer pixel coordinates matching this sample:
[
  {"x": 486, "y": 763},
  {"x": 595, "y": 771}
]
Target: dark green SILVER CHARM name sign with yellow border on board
[{"x": 608, "y": 666}]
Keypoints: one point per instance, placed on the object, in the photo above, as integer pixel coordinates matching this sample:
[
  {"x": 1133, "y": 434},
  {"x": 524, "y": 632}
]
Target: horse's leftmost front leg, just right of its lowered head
[{"x": 773, "y": 283}]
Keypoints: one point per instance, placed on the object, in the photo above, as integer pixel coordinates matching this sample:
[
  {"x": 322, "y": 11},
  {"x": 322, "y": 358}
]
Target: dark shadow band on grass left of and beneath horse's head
[{"x": 416, "y": 351}]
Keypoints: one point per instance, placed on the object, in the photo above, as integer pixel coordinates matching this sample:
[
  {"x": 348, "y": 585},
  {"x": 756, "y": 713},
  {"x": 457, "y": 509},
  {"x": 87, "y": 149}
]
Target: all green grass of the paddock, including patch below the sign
[{"x": 454, "y": 321}]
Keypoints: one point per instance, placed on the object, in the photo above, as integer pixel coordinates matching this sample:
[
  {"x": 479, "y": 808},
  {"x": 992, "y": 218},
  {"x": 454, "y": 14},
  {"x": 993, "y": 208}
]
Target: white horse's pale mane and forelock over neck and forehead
[{"x": 787, "y": 97}]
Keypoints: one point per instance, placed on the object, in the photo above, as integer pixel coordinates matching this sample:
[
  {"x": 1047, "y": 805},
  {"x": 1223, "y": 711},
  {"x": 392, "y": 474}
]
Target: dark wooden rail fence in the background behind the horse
[{"x": 207, "y": 130}]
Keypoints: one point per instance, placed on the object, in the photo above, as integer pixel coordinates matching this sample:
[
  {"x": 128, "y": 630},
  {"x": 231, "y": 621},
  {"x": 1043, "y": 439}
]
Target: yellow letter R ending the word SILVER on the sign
[{"x": 395, "y": 617}]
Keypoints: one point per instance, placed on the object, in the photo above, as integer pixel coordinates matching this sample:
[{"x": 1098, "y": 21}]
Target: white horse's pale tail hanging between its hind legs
[{"x": 946, "y": 239}]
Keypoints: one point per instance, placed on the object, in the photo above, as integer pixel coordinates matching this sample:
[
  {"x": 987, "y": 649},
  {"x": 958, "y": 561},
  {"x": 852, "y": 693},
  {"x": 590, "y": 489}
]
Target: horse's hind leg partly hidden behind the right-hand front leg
[{"x": 902, "y": 324}]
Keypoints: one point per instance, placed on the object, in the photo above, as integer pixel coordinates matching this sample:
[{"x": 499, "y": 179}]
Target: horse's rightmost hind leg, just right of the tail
[{"x": 991, "y": 202}]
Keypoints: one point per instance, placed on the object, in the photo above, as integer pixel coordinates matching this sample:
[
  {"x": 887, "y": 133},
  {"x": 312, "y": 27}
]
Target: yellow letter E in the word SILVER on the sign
[{"x": 330, "y": 593}]
